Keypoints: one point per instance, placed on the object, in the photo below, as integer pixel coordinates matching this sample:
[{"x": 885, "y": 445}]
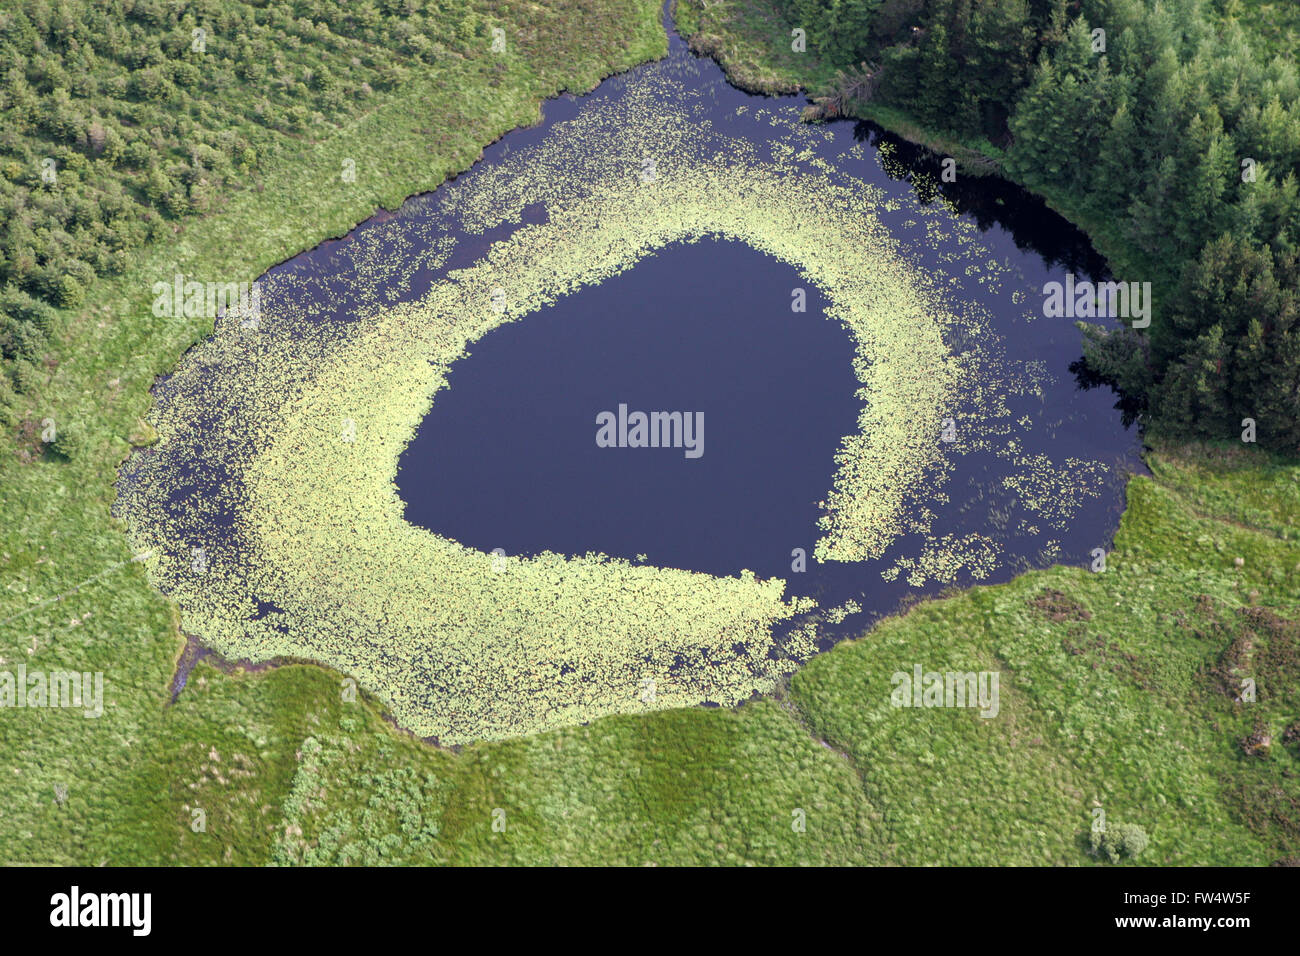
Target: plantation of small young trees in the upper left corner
[{"x": 120, "y": 116}]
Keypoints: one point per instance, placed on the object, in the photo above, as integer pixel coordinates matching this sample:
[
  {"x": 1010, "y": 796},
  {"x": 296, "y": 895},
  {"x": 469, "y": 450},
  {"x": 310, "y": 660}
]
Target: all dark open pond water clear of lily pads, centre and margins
[{"x": 508, "y": 457}]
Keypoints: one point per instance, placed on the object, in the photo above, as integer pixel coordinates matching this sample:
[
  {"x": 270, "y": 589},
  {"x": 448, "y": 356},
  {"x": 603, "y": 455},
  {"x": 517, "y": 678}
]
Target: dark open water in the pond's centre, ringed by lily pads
[{"x": 508, "y": 457}]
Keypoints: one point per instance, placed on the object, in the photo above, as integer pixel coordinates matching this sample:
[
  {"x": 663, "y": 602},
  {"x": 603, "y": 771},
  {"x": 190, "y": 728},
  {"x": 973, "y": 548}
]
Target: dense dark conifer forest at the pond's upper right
[{"x": 1159, "y": 123}]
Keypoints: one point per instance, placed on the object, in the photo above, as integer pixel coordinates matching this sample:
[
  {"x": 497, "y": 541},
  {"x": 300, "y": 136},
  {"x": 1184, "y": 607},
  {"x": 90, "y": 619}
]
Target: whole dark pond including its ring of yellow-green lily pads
[{"x": 422, "y": 464}]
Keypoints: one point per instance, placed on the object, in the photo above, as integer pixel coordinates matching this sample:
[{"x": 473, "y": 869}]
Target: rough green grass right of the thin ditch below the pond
[{"x": 1107, "y": 695}]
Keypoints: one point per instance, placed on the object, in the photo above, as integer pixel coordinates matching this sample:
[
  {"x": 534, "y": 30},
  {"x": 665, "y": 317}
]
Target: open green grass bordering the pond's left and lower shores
[{"x": 1117, "y": 687}]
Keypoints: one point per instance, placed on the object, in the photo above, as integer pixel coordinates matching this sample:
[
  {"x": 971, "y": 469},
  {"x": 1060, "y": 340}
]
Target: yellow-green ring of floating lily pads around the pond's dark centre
[{"x": 270, "y": 503}]
